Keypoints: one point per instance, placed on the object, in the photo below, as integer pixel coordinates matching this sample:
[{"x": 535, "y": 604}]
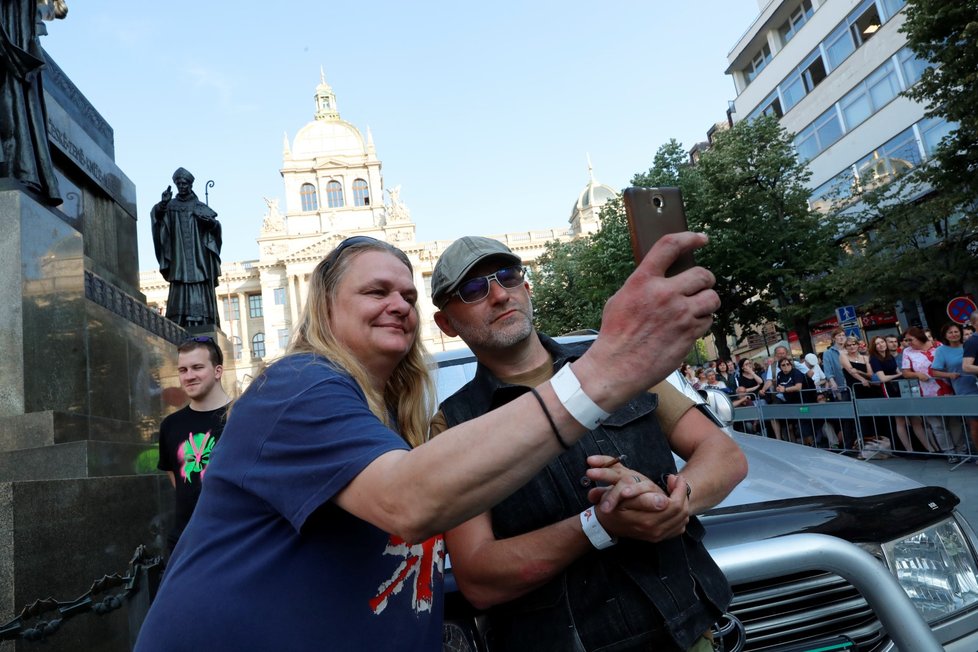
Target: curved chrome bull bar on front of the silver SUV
[{"x": 789, "y": 554}]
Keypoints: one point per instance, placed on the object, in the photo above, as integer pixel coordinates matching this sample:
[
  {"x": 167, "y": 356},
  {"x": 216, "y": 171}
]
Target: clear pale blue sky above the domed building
[{"x": 483, "y": 113}]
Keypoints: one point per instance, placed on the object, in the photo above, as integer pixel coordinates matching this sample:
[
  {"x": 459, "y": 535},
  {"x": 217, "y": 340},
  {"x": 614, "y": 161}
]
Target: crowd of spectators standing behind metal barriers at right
[{"x": 911, "y": 364}]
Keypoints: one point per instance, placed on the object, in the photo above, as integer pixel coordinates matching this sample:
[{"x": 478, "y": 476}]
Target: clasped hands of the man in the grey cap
[{"x": 633, "y": 506}]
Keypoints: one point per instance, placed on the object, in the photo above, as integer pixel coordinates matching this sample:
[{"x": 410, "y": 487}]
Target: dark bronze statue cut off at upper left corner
[{"x": 24, "y": 149}]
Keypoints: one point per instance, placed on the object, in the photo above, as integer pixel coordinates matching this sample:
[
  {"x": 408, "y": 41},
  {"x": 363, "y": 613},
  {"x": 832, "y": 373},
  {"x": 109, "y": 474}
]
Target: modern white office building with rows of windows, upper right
[{"x": 833, "y": 71}]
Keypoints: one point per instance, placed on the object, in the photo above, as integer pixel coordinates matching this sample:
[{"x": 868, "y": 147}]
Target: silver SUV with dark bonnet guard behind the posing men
[{"x": 793, "y": 537}]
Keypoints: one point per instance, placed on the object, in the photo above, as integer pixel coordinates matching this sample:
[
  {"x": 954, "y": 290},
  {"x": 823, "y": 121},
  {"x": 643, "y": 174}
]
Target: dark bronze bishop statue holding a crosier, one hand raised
[{"x": 187, "y": 239}]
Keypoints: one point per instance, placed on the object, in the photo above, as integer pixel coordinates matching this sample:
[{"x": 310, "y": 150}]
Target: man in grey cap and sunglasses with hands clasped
[{"x": 577, "y": 589}]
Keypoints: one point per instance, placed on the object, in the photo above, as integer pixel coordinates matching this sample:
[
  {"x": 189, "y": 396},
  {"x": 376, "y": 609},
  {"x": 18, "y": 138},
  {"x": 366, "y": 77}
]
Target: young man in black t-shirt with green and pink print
[{"x": 187, "y": 436}]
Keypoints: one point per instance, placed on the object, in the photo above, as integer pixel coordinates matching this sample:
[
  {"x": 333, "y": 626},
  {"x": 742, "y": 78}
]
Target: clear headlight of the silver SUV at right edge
[{"x": 936, "y": 568}]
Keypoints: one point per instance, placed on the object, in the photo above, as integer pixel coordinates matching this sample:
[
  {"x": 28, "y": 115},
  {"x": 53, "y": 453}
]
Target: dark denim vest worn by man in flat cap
[{"x": 632, "y": 596}]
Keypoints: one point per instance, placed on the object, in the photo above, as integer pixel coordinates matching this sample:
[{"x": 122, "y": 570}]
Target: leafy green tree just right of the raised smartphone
[{"x": 767, "y": 248}]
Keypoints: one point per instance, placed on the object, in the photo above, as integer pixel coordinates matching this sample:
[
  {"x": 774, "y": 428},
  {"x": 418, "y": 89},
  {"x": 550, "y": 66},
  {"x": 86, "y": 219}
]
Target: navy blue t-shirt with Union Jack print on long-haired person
[{"x": 267, "y": 561}]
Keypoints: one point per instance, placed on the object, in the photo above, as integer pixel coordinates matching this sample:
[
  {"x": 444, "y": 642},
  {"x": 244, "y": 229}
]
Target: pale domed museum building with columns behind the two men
[{"x": 334, "y": 188}]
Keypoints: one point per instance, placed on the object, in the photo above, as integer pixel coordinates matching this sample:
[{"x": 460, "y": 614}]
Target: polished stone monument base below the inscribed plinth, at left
[{"x": 83, "y": 371}]
